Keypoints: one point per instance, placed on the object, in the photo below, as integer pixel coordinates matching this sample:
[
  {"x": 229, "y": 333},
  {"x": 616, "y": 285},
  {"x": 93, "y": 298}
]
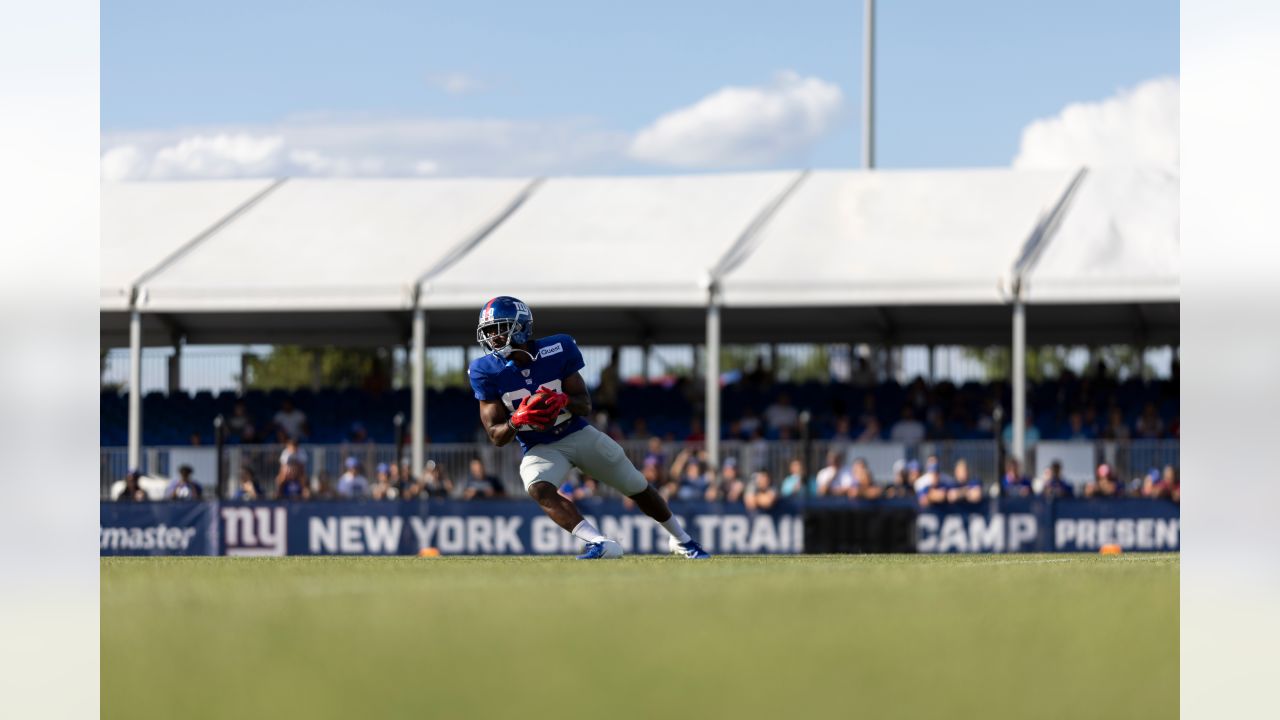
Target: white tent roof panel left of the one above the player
[{"x": 332, "y": 245}]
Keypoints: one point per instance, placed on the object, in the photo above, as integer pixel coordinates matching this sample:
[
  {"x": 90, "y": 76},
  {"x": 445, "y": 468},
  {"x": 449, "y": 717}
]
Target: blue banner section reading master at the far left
[{"x": 158, "y": 528}]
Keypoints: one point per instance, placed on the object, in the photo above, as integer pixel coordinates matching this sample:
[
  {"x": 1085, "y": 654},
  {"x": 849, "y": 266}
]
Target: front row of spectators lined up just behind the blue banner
[{"x": 687, "y": 477}]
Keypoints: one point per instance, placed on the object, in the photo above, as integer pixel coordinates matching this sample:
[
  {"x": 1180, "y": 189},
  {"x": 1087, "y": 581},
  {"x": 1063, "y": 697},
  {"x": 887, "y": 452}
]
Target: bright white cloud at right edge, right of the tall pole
[{"x": 1135, "y": 127}]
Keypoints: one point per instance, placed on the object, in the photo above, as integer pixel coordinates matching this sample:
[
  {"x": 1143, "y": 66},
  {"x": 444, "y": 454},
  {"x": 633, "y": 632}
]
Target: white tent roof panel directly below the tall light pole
[{"x": 892, "y": 239}]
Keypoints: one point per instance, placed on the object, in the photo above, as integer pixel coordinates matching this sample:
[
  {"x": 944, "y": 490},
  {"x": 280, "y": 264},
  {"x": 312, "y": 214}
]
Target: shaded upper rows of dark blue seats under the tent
[{"x": 1094, "y": 405}]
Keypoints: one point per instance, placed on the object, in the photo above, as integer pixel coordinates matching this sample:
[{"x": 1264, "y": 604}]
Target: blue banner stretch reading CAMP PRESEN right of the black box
[{"x": 1041, "y": 526}]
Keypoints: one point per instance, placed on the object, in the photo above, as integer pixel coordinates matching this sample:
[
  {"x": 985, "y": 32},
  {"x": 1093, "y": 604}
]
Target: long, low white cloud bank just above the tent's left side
[{"x": 316, "y": 147}]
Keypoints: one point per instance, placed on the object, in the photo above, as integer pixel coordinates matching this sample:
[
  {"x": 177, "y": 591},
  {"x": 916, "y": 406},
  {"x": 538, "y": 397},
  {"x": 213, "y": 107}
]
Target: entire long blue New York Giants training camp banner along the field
[{"x": 522, "y": 528}]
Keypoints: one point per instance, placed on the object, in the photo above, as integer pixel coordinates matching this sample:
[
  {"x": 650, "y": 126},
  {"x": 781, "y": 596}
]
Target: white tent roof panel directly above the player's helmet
[{"x": 612, "y": 243}]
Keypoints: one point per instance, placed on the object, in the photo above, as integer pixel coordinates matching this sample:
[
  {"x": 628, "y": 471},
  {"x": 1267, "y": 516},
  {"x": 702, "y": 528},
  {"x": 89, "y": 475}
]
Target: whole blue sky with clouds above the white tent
[{"x": 424, "y": 89}]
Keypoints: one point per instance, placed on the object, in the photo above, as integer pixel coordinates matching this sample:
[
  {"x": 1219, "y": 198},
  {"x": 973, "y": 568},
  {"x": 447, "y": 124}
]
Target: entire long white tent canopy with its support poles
[{"x": 900, "y": 257}]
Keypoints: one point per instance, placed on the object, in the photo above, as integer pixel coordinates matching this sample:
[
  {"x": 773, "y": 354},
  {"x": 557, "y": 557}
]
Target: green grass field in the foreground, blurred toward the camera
[{"x": 644, "y": 637}]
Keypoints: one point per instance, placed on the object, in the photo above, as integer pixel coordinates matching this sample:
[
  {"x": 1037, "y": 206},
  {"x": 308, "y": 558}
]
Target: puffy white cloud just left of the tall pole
[{"x": 743, "y": 126}]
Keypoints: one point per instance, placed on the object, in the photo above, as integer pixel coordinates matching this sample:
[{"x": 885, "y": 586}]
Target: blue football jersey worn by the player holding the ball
[{"x": 555, "y": 359}]
